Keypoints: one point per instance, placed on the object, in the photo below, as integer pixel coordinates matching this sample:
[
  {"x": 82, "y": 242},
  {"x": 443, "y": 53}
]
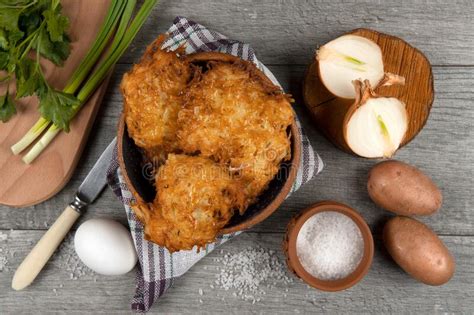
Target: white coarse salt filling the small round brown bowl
[{"x": 330, "y": 245}]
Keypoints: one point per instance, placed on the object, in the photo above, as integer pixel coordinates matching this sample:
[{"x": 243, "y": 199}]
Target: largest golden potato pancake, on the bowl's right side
[{"x": 233, "y": 114}]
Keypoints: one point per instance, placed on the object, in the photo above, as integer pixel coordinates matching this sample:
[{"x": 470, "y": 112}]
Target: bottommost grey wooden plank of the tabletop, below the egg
[{"x": 385, "y": 289}]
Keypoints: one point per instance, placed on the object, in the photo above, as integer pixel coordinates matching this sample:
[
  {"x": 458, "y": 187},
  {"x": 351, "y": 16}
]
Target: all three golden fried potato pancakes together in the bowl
[{"x": 221, "y": 128}]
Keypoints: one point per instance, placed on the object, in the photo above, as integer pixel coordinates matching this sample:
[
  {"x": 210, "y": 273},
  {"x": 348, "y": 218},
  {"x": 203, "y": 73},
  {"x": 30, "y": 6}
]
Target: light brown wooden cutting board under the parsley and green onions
[{"x": 24, "y": 185}]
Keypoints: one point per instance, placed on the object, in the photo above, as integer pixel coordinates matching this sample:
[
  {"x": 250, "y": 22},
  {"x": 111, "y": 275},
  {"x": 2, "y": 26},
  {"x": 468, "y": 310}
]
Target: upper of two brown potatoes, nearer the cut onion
[{"x": 403, "y": 189}]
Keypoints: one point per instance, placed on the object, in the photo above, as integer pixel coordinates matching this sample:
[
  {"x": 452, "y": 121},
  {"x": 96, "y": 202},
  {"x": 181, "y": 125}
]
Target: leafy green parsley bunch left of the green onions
[{"x": 34, "y": 25}]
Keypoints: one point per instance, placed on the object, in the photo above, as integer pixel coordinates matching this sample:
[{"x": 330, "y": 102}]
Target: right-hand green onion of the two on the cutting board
[{"x": 121, "y": 42}]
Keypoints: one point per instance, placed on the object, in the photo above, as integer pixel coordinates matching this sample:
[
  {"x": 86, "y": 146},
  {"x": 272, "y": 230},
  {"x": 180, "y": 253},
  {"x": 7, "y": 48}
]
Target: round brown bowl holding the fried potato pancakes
[{"x": 136, "y": 172}]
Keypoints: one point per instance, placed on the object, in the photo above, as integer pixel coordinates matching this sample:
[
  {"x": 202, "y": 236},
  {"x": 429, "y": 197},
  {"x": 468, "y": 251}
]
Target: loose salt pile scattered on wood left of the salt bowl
[{"x": 248, "y": 272}]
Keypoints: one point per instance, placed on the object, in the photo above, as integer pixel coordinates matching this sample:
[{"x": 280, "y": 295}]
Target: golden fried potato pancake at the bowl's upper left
[{"x": 152, "y": 93}]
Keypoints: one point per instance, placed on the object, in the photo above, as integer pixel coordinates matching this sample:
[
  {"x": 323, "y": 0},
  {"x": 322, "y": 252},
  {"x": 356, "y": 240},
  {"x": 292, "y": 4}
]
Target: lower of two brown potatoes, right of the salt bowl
[{"x": 418, "y": 250}]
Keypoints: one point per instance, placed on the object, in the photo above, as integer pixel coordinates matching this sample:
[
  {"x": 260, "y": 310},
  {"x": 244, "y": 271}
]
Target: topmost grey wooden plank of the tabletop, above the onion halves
[{"x": 444, "y": 32}]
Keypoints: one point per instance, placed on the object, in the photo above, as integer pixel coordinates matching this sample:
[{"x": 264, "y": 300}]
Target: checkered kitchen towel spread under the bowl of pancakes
[{"x": 158, "y": 268}]
